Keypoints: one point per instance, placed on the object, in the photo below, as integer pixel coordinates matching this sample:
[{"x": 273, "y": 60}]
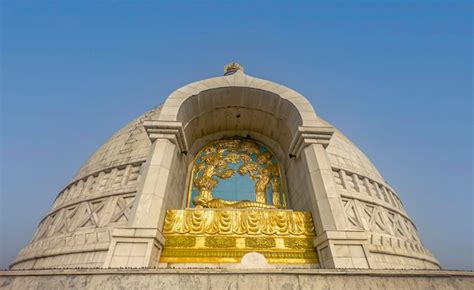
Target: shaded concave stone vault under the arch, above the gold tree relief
[{"x": 239, "y": 109}]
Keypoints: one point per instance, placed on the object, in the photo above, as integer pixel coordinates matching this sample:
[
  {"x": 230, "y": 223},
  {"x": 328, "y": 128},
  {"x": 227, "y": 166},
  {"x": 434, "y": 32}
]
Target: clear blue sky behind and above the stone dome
[{"x": 395, "y": 77}]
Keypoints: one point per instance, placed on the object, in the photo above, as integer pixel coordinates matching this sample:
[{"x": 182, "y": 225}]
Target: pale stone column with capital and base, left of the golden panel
[{"x": 162, "y": 187}]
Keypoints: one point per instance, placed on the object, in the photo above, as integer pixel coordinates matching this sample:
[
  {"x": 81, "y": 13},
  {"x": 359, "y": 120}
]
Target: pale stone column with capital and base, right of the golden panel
[{"x": 338, "y": 246}]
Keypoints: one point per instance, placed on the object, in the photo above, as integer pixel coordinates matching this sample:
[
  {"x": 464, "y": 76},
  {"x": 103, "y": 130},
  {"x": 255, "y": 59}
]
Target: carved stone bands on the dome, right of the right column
[{"x": 375, "y": 208}]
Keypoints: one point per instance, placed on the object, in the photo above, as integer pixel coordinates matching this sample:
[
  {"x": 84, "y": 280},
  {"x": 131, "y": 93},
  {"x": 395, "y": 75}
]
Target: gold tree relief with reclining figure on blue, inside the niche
[{"x": 248, "y": 159}]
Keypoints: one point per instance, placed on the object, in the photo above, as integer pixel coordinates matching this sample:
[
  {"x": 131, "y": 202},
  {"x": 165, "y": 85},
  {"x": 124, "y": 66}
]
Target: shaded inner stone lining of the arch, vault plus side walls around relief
[{"x": 253, "y": 113}]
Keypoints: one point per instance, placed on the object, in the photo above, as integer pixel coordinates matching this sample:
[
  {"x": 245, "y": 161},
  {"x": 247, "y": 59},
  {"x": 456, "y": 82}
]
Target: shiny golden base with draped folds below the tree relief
[{"x": 226, "y": 235}]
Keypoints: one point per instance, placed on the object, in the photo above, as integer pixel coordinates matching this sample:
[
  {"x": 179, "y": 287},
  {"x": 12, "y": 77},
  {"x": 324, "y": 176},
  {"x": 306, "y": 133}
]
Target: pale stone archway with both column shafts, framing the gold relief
[{"x": 245, "y": 105}]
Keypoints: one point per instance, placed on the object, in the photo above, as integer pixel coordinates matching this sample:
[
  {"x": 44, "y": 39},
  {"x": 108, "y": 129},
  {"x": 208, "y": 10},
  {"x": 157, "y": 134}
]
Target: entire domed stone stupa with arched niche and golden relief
[{"x": 232, "y": 172}]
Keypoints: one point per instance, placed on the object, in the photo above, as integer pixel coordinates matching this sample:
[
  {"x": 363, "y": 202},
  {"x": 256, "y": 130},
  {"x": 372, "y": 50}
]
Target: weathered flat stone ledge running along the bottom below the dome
[{"x": 303, "y": 279}]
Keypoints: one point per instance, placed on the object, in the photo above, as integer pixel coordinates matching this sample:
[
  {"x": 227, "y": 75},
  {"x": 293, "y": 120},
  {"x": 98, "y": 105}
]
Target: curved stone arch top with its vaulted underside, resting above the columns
[{"x": 255, "y": 101}]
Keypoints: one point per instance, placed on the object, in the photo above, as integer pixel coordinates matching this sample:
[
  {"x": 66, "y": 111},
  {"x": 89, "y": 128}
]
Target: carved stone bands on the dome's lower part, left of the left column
[{"x": 78, "y": 228}]
